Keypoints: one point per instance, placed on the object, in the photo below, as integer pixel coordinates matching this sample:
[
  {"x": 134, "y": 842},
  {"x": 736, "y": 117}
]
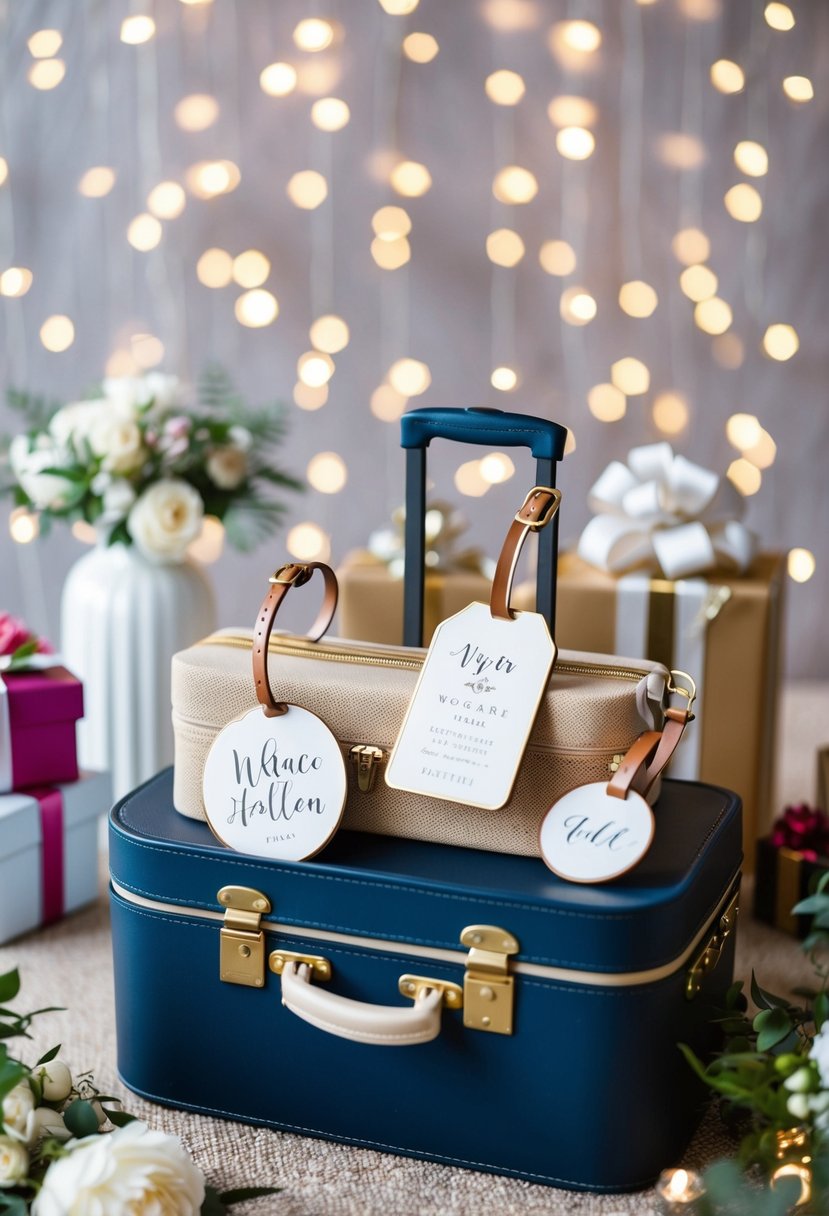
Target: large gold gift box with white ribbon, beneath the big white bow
[{"x": 736, "y": 630}]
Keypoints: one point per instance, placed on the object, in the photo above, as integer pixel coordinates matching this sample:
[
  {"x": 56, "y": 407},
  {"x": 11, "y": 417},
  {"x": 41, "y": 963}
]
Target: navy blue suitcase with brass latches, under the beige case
[{"x": 563, "y": 1005}]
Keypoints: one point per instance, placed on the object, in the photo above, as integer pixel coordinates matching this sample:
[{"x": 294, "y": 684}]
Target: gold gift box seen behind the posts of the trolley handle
[{"x": 371, "y": 600}]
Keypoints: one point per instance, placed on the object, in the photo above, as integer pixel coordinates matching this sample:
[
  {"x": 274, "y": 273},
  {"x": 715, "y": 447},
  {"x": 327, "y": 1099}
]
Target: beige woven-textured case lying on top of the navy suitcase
[{"x": 594, "y": 710}]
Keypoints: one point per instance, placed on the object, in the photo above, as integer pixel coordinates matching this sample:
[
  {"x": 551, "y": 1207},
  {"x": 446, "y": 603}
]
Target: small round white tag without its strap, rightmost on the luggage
[{"x": 590, "y": 837}]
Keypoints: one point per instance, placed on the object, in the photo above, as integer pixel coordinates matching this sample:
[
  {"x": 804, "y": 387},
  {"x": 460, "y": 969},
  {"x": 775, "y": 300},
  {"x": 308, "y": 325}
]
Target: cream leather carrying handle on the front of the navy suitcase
[{"x": 358, "y": 1021}]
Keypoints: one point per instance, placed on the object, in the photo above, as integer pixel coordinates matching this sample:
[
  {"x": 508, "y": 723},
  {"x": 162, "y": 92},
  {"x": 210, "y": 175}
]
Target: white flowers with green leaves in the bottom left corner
[{"x": 58, "y": 1157}]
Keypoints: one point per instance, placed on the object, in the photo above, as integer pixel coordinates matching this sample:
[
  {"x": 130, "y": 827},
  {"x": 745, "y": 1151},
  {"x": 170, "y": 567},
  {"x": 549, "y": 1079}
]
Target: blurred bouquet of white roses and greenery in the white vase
[{"x": 146, "y": 469}]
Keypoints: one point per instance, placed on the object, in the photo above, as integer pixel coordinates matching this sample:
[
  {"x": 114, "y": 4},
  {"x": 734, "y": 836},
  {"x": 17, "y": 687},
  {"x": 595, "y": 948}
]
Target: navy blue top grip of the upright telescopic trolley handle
[{"x": 481, "y": 425}]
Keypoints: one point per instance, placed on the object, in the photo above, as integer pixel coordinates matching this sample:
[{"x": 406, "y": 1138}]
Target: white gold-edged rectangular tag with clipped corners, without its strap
[{"x": 470, "y": 719}]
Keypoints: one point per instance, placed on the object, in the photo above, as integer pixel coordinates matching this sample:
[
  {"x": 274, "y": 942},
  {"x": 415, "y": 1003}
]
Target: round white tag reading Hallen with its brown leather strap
[{"x": 275, "y": 779}]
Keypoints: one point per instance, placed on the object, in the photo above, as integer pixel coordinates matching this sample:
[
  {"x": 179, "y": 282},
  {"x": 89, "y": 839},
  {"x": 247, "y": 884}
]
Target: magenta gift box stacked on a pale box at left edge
[{"x": 43, "y": 711}]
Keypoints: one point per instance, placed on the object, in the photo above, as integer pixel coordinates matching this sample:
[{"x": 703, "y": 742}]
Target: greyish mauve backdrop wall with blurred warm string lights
[{"x": 607, "y": 212}]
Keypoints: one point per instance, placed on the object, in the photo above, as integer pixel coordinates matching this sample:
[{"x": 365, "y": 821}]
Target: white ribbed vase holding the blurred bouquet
[{"x": 122, "y": 621}]
